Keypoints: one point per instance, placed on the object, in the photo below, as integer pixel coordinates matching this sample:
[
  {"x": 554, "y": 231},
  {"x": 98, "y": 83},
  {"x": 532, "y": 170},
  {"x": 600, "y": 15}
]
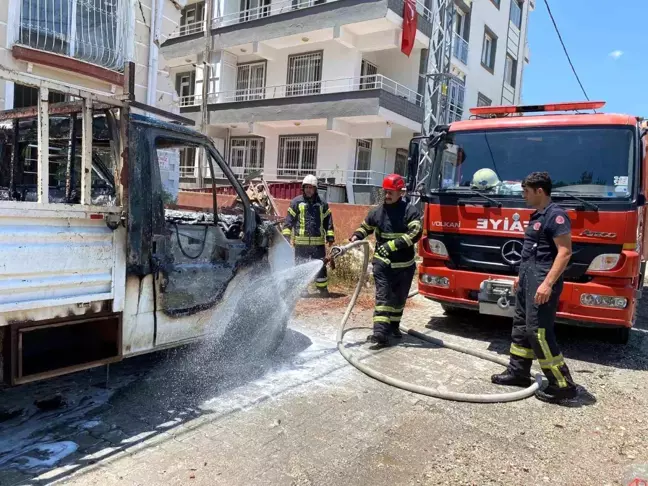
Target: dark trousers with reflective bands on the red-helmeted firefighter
[{"x": 392, "y": 288}]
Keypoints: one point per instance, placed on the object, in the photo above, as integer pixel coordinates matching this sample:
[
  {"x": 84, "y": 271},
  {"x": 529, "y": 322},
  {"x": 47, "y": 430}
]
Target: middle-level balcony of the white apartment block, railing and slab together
[{"x": 347, "y": 97}]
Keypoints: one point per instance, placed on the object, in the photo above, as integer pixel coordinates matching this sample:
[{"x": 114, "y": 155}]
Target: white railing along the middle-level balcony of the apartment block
[{"x": 376, "y": 81}]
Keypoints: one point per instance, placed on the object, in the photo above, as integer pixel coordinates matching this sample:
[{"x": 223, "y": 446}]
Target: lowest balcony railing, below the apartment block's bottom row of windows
[{"x": 330, "y": 176}]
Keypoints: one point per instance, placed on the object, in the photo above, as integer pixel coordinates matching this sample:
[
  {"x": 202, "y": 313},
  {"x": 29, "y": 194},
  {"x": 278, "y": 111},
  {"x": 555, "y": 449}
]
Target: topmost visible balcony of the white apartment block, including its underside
[{"x": 283, "y": 23}]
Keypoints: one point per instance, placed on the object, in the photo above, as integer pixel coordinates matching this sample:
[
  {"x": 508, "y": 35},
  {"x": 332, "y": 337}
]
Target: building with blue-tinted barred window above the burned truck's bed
[{"x": 86, "y": 43}]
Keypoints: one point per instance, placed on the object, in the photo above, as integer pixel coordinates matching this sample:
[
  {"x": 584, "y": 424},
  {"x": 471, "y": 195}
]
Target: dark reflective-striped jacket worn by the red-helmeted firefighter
[{"x": 397, "y": 228}]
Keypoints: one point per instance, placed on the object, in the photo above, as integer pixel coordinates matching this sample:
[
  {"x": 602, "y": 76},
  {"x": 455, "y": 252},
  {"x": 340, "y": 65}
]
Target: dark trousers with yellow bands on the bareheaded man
[{"x": 533, "y": 335}]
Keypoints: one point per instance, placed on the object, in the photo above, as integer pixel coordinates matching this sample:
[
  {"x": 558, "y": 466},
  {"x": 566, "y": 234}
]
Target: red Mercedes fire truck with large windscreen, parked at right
[{"x": 474, "y": 225}]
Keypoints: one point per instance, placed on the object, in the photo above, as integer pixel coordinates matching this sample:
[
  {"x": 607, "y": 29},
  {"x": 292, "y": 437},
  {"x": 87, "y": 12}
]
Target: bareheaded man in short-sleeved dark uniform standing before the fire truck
[{"x": 545, "y": 256}]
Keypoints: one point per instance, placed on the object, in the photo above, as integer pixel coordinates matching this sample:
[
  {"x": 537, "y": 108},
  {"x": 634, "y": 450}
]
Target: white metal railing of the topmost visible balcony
[{"x": 270, "y": 10}]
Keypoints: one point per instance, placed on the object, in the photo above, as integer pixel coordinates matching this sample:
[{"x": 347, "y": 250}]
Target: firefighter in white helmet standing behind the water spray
[{"x": 310, "y": 219}]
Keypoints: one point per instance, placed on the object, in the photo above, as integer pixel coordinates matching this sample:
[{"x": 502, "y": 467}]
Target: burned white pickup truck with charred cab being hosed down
[{"x": 97, "y": 264}]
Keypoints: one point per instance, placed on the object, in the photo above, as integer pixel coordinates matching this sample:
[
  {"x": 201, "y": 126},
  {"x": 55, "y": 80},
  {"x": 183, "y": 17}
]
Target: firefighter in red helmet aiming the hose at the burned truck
[{"x": 397, "y": 226}]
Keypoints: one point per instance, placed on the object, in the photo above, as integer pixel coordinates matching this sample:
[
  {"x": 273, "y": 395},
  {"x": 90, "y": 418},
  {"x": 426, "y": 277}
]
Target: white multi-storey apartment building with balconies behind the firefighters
[{"x": 317, "y": 86}]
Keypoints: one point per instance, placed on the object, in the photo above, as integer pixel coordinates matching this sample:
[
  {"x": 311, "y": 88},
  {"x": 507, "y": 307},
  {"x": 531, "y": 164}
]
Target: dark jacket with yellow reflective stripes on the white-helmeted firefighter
[{"x": 310, "y": 220}]
